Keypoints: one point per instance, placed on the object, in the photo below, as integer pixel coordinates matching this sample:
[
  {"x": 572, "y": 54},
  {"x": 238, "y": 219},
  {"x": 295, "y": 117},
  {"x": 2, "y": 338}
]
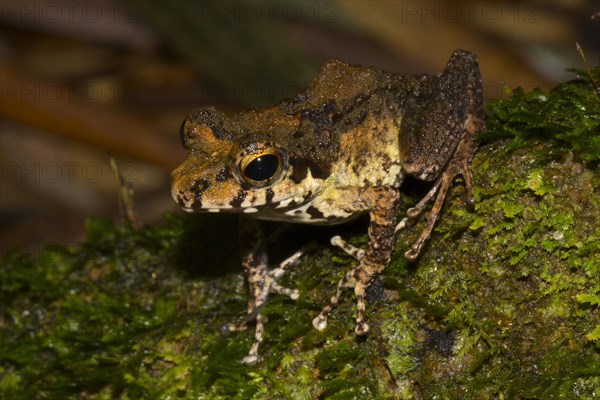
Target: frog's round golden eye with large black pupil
[{"x": 262, "y": 167}]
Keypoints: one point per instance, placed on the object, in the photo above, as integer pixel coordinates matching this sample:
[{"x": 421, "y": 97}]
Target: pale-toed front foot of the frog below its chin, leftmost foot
[{"x": 262, "y": 283}]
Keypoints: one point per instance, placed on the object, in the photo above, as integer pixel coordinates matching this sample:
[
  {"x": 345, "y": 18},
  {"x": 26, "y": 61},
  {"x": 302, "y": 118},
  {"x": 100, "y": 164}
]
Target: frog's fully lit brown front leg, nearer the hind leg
[{"x": 381, "y": 202}]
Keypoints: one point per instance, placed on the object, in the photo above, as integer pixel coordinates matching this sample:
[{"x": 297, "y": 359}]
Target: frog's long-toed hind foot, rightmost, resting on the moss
[{"x": 460, "y": 164}]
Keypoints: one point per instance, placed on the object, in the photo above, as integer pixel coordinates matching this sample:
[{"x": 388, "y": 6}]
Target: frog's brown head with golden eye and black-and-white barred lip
[{"x": 254, "y": 162}]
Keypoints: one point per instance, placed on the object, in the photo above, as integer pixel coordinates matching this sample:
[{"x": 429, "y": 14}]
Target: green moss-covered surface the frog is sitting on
[{"x": 503, "y": 302}]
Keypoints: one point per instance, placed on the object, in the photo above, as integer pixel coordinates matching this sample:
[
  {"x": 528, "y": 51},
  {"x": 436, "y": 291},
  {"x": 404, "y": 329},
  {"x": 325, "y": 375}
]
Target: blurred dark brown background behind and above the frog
[{"x": 80, "y": 79}]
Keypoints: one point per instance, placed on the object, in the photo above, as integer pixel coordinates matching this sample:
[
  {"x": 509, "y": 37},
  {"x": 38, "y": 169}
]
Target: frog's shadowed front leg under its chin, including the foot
[{"x": 261, "y": 281}]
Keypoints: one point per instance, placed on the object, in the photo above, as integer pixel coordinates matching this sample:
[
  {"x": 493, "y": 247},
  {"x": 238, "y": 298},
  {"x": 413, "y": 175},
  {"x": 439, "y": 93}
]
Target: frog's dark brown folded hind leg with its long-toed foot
[{"x": 437, "y": 140}]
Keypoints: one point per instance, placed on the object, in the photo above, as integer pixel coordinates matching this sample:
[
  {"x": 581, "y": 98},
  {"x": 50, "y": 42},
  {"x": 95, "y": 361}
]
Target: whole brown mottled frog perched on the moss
[{"x": 339, "y": 149}]
